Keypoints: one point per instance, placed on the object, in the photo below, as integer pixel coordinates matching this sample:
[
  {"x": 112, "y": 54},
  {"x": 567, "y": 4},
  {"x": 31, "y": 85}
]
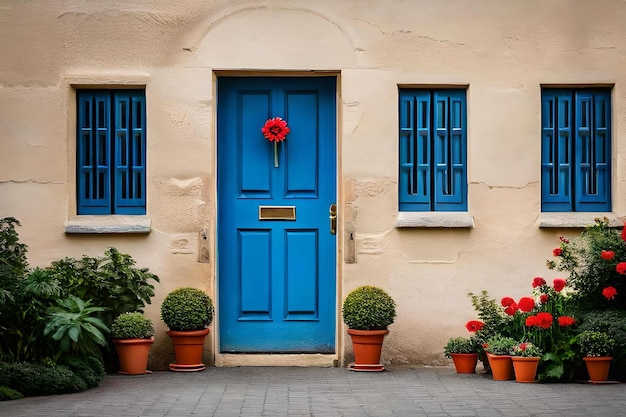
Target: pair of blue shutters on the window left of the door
[{"x": 111, "y": 152}]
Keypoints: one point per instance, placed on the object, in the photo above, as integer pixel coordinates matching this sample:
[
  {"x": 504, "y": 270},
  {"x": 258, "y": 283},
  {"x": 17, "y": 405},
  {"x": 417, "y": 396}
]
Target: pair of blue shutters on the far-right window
[{"x": 576, "y": 150}]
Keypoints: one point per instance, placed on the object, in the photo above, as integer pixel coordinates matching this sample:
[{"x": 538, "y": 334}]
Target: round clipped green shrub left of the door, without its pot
[{"x": 187, "y": 309}]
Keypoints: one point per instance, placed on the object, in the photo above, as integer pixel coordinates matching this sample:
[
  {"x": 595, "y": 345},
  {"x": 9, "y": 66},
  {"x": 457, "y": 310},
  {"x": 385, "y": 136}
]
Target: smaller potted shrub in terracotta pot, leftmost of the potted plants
[{"x": 133, "y": 335}]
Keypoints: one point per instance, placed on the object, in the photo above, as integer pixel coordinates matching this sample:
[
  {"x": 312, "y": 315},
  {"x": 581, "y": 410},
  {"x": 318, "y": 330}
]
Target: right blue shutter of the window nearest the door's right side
[{"x": 450, "y": 151}]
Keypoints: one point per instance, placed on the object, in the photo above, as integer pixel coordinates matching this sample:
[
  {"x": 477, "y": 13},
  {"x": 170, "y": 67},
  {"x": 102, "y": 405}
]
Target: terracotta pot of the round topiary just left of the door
[{"x": 188, "y": 349}]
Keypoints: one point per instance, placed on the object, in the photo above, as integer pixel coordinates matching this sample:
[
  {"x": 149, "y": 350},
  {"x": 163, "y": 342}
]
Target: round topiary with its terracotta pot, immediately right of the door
[{"x": 367, "y": 311}]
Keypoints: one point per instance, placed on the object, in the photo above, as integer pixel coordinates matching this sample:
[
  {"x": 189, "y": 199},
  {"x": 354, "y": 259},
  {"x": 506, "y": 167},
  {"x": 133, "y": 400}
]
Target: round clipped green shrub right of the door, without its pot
[{"x": 368, "y": 308}]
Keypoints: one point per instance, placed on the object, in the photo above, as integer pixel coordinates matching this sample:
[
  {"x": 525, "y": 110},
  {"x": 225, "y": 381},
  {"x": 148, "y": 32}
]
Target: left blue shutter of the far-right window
[{"x": 556, "y": 150}]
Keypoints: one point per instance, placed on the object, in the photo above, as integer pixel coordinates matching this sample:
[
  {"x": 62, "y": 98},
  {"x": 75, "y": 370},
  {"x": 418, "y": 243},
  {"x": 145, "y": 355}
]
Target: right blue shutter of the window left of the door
[{"x": 130, "y": 152}]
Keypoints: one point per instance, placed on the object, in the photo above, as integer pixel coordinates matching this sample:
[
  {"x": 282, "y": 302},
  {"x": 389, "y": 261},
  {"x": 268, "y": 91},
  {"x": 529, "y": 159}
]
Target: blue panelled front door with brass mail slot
[{"x": 276, "y": 262}]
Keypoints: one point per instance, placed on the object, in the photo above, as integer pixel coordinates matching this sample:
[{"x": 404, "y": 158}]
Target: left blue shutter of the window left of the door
[{"x": 93, "y": 150}]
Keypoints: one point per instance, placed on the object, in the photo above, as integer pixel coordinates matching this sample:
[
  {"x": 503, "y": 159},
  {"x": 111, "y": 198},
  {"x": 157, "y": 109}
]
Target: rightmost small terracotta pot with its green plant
[{"x": 597, "y": 347}]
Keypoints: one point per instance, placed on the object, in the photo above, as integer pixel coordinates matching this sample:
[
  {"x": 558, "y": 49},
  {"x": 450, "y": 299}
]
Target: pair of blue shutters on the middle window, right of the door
[{"x": 433, "y": 150}]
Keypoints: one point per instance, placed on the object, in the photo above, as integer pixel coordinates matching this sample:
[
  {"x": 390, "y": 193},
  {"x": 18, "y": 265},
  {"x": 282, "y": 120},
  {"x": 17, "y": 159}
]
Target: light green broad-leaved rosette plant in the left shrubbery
[{"x": 74, "y": 326}]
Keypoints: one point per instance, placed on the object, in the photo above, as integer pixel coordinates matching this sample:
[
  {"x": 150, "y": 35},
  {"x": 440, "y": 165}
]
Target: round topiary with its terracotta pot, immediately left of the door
[{"x": 187, "y": 312}]
